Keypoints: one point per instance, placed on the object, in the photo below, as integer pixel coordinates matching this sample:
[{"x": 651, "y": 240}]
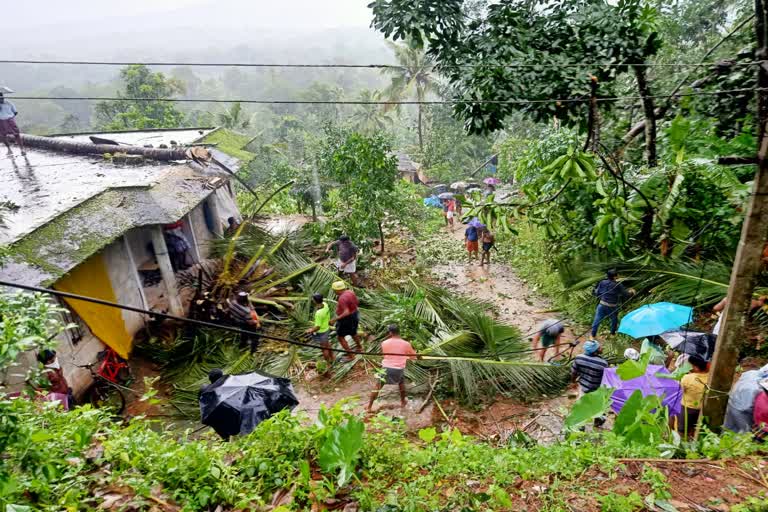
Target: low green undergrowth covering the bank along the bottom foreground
[{"x": 56, "y": 461}]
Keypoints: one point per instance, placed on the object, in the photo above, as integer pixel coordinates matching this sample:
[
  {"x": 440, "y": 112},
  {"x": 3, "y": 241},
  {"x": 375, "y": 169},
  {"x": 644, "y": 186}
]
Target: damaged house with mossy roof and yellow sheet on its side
[{"x": 106, "y": 215}]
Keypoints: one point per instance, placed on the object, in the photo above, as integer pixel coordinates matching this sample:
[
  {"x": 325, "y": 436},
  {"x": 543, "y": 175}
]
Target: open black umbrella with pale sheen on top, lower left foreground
[{"x": 235, "y": 404}]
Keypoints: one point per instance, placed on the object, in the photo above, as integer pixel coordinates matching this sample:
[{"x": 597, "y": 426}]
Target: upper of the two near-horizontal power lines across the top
[{"x": 366, "y": 66}]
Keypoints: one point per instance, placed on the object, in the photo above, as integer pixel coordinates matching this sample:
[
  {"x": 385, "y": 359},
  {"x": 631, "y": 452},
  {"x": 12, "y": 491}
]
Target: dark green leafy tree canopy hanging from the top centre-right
[{"x": 525, "y": 50}]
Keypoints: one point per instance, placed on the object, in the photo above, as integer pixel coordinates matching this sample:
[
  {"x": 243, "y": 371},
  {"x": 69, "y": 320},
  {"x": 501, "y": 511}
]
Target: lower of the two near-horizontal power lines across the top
[{"x": 383, "y": 102}]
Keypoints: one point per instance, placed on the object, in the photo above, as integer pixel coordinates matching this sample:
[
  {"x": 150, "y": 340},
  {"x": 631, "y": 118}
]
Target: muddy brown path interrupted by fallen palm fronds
[{"x": 516, "y": 304}]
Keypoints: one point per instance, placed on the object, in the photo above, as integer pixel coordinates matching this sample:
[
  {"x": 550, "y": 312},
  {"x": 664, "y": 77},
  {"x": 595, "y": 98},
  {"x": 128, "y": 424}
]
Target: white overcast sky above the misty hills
[{"x": 318, "y": 14}]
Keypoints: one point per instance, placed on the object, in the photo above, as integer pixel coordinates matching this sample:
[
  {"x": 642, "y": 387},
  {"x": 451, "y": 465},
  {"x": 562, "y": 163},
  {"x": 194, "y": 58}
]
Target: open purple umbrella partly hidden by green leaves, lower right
[{"x": 648, "y": 384}]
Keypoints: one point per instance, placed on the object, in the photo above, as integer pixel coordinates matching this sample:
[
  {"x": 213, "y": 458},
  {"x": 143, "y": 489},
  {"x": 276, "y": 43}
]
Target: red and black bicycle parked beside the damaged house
[{"x": 106, "y": 390}]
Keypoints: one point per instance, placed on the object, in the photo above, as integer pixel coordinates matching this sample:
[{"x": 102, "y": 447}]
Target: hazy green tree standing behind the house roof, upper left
[{"x": 142, "y": 105}]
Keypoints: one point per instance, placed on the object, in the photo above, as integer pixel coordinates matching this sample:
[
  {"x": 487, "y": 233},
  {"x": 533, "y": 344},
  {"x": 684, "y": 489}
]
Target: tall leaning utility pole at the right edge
[{"x": 748, "y": 261}]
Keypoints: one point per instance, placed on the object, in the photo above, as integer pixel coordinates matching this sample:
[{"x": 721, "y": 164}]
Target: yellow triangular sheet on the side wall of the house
[{"x": 91, "y": 279}]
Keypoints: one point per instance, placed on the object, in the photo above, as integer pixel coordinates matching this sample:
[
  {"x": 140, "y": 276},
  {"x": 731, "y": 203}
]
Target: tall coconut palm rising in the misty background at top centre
[{"x": 414, "y": 77}]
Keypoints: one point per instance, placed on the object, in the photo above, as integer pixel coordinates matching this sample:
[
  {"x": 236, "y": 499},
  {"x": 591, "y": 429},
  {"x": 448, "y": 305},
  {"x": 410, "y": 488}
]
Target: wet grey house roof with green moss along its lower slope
[{"x": 71, "y": 206}]
